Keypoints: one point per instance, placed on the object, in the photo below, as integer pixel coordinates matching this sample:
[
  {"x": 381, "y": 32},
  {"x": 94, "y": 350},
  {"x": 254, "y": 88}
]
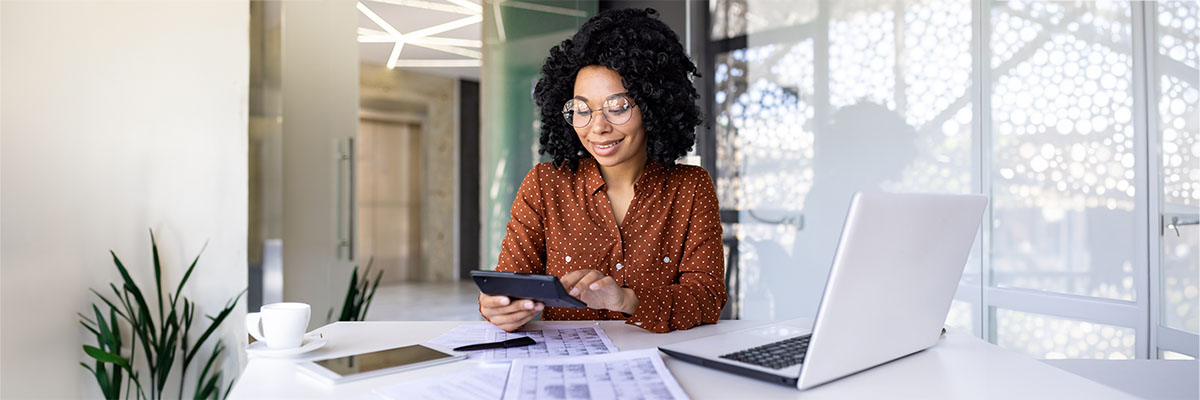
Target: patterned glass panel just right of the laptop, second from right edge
[{"x": 1067, "y": 212}]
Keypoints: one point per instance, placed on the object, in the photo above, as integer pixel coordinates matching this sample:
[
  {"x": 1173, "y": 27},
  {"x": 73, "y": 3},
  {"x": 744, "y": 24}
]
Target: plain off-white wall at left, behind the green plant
[{"x": 117, "y": 118}]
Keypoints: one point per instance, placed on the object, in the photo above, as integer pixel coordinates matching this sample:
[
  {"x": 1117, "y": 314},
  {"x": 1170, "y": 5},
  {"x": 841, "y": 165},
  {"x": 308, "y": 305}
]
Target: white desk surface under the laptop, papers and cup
[{"x": 961, "y": 367}]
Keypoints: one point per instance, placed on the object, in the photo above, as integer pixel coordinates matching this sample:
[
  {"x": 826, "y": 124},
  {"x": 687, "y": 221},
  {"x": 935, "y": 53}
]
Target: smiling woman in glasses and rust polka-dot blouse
[{"x": 626, "y": 230}]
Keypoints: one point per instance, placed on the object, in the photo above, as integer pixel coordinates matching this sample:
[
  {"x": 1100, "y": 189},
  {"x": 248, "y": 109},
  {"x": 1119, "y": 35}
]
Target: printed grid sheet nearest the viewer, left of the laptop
[{"x": 627, "y": 375}]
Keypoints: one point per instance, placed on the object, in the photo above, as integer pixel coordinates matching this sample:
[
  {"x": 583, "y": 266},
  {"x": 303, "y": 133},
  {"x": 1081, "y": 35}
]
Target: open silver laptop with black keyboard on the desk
[{"x": 895, "y": 273}]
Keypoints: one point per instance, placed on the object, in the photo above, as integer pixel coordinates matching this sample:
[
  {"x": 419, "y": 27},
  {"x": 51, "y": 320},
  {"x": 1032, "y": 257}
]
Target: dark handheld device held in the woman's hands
[{"x": 544, "y": 289}]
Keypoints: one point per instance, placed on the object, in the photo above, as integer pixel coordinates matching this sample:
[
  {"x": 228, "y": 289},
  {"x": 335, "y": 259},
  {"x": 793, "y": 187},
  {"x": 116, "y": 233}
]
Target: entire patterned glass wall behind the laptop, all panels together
[{"x": 1079, "y": 120}]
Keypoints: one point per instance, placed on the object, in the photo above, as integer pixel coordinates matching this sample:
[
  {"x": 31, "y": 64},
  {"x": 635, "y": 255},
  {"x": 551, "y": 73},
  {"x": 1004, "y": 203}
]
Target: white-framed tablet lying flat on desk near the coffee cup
[{"x": 358, "y": 367}]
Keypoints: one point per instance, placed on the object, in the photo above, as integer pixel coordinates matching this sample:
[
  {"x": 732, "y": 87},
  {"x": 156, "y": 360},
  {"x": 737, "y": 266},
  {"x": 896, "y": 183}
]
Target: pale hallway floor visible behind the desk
[{"x": 427, "y": 302}]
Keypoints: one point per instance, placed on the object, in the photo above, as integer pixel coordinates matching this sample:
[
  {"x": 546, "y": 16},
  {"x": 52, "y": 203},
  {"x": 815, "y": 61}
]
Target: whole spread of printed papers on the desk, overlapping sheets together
[{"x": 568, "y": 362}]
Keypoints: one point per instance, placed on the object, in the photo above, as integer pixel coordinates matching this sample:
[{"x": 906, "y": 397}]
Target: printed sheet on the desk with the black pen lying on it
[{"x": 553, "y": 342}]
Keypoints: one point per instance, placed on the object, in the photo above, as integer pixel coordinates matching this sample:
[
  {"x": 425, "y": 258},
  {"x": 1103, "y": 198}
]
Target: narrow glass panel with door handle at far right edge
[{"x": 1177, "y": 75}]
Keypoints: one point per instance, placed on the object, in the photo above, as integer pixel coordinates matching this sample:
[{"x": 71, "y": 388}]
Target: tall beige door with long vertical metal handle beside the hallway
[{"x": 320, "y": 87}]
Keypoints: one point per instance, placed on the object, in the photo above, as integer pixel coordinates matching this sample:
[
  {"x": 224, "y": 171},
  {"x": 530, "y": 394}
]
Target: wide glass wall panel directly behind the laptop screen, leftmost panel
[{"x": 824, "y": 100}]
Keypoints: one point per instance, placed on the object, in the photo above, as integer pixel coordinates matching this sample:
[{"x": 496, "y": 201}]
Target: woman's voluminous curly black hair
[{"x": 655, "y": 69}]
